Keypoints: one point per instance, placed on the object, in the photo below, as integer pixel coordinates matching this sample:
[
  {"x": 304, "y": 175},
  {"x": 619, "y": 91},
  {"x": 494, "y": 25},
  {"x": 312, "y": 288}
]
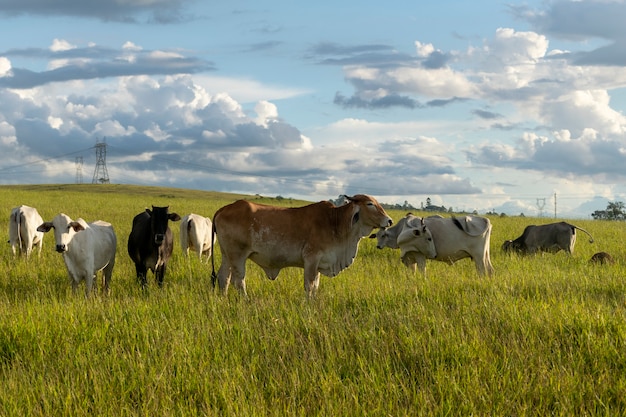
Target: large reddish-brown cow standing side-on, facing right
[{"x": 321, "y": 238}]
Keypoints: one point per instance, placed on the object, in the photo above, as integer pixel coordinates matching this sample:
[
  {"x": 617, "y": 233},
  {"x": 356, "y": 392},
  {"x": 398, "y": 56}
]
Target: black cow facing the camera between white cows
[{"x": 150, "y": 243}]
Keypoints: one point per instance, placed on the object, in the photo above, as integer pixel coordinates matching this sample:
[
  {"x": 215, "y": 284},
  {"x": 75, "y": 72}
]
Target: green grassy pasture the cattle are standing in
[{"x": 545, "y": 335}]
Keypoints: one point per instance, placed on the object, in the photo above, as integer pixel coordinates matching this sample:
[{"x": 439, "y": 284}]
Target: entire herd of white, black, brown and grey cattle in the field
[{"x": 320, "y": 238}]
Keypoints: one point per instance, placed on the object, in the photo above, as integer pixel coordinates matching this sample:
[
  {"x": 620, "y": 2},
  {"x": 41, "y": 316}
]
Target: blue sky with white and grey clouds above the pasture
[{"x": 513, "y": 107}]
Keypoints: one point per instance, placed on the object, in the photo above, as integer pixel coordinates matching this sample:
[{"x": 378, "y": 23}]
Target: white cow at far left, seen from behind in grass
[{"x": 23, "y": 234}]
